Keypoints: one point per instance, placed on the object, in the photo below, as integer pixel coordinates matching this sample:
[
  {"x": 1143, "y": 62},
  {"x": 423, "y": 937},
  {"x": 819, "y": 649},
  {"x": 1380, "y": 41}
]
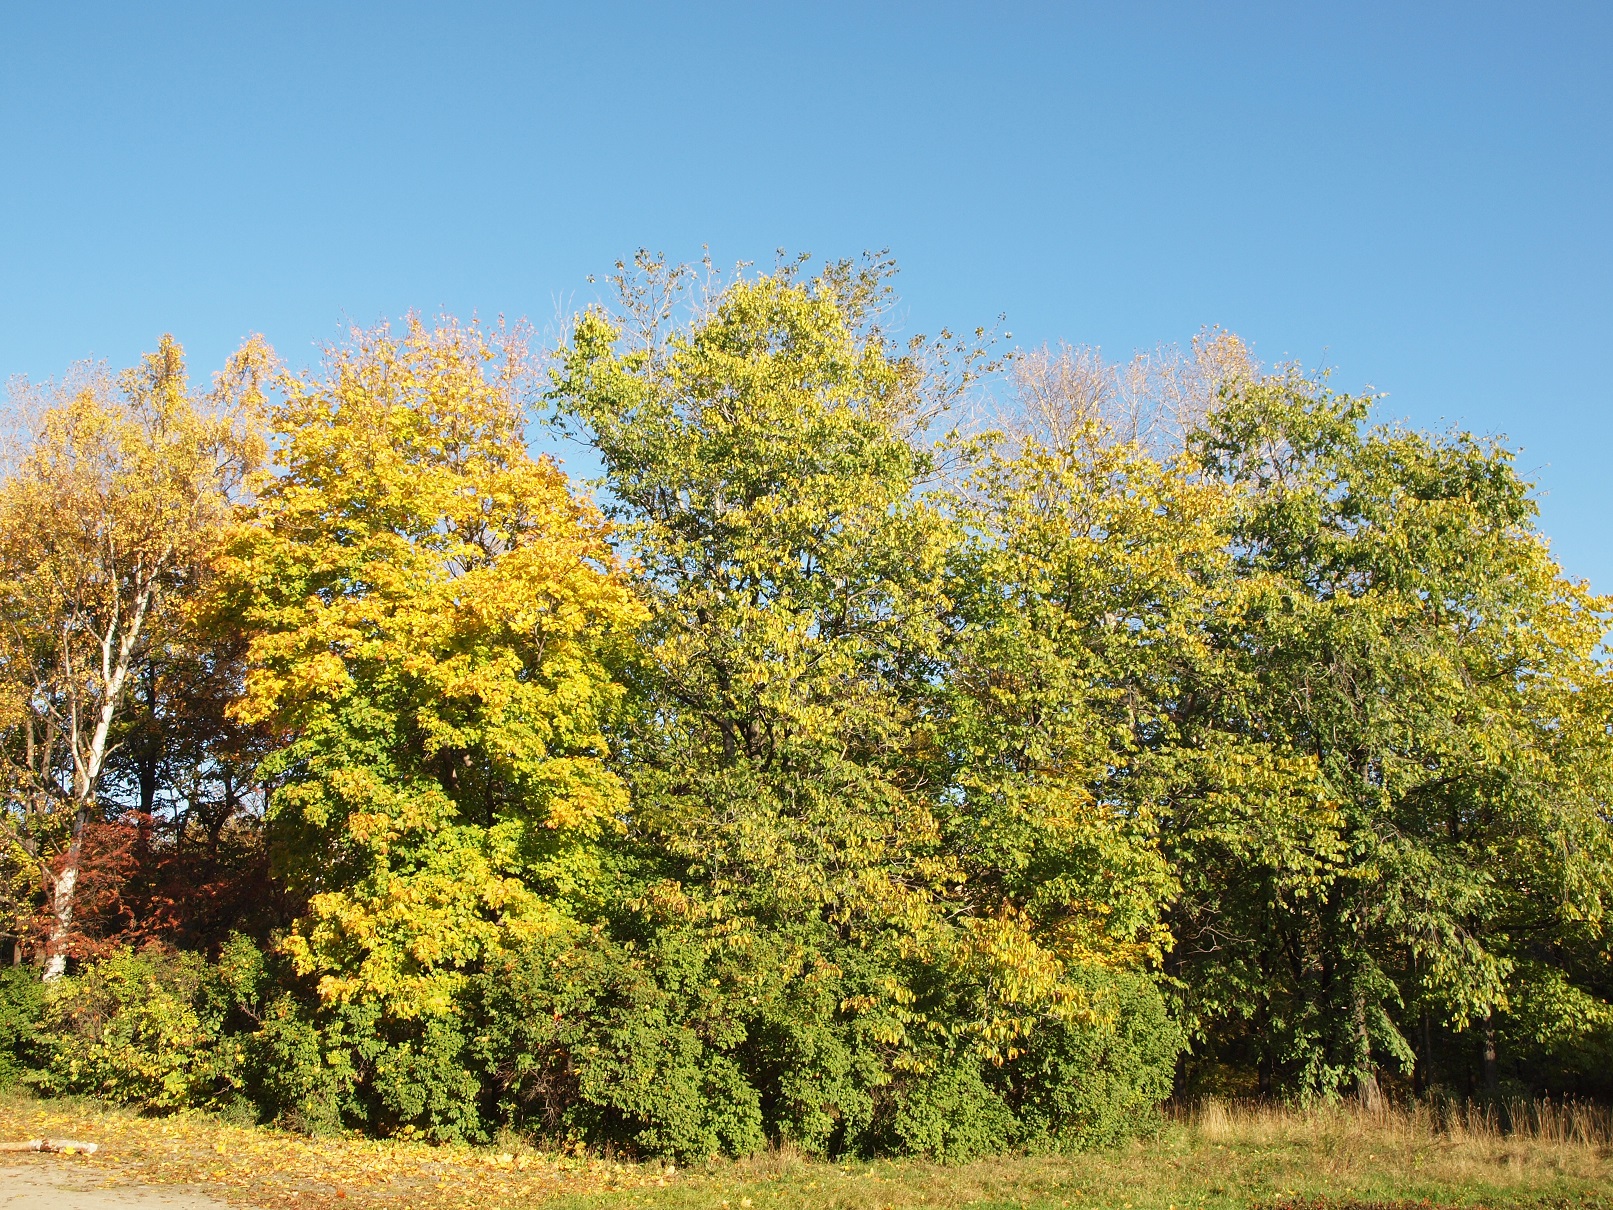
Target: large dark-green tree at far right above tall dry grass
[{"x": 1404, "y": 630}]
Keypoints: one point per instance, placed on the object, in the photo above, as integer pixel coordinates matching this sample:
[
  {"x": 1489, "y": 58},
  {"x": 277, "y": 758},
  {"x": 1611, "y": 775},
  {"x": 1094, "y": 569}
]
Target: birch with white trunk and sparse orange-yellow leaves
[{"x": 109, "y": 520}]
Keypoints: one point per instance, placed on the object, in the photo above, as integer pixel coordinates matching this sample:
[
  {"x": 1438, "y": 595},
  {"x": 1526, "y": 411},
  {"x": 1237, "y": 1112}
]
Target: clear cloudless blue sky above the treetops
[{"x": 1419, "y": 194}]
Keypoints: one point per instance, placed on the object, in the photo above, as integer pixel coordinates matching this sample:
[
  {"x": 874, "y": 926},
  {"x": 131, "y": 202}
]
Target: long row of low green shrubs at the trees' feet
[{"x": 581, "y": 1043}]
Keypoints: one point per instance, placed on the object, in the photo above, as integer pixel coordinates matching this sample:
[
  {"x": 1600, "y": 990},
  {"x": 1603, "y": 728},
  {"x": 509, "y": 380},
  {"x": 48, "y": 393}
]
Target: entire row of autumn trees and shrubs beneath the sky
[{"x": 851, "y": 770}]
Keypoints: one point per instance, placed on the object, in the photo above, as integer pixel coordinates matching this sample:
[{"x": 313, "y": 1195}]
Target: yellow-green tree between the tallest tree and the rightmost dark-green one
[{"x": 1091, "y": 770}]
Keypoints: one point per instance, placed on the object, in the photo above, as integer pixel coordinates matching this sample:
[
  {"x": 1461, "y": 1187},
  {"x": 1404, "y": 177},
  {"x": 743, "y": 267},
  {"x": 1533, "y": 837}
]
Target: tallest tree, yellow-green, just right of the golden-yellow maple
[{"x": 765, "y": 483}]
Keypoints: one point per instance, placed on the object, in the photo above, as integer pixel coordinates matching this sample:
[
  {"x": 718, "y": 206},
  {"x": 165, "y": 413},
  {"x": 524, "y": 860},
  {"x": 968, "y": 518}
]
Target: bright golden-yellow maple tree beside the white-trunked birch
[{"x": 433, "y": 622}]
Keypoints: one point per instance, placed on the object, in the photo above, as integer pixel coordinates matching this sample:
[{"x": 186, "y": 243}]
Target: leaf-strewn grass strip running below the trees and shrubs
[{"x": 1214, "y": 1159}]
